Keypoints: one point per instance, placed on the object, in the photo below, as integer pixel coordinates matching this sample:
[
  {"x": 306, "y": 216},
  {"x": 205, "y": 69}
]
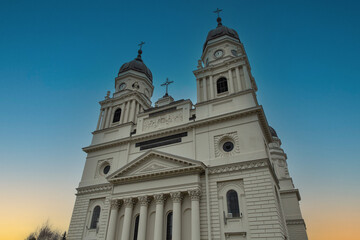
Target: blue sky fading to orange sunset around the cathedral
[{"x": 58, "y": 59}]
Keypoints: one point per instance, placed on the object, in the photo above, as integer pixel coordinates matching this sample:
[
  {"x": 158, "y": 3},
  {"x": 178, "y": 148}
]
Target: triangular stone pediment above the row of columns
[{"x": 155, "y": 164}]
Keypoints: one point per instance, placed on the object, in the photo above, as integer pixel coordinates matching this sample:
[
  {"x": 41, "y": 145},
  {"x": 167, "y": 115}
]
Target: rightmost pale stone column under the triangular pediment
[{"x": 195, "y": 214}]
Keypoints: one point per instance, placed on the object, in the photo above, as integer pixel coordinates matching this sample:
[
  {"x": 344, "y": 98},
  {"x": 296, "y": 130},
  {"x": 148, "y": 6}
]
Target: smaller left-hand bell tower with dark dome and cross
[{"x": 133, "y": 91}]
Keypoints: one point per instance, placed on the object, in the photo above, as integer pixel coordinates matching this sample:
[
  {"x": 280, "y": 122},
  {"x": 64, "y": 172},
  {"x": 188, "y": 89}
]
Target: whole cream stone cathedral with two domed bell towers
[{"x": 177, "y": 170}]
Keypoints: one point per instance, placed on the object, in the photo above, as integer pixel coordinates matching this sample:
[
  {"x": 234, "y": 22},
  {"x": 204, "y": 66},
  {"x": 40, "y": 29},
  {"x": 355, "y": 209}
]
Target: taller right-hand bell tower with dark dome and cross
[{"x": 224, "y": 71}]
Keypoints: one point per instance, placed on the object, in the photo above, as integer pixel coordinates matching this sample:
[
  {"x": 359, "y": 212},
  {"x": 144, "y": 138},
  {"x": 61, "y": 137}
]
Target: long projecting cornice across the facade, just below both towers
[{"x": 249, "y": 111}]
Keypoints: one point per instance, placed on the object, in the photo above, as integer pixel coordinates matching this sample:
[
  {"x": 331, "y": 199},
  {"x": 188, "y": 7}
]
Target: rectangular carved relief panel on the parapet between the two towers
[{"x": 163, "y": 121}]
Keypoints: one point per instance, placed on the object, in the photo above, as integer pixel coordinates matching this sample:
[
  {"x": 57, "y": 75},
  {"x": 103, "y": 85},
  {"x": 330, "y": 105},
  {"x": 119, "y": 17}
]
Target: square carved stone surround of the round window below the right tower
[{"x": 219, "y": 140}]
